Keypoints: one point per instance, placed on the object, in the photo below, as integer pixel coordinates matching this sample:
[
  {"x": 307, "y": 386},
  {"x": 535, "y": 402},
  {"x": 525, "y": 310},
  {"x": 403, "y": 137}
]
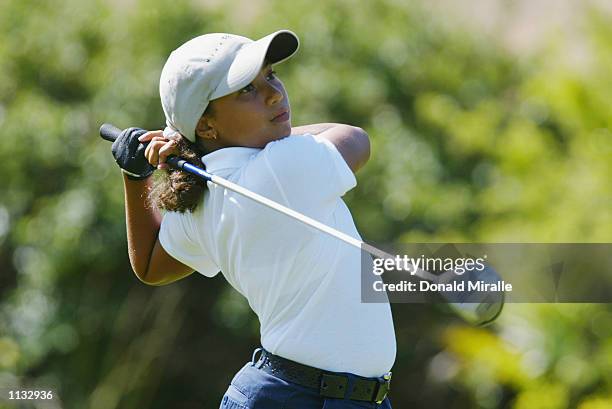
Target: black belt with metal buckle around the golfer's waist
[{"x": 328, "y": 384}]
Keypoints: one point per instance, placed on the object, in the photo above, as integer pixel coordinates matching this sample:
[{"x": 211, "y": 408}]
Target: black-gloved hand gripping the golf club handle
[{"x": 129, "y": 154}]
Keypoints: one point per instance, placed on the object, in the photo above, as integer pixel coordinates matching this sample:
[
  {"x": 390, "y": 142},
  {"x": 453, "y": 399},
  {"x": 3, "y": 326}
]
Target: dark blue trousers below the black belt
[{"x": 253, "y": 388}]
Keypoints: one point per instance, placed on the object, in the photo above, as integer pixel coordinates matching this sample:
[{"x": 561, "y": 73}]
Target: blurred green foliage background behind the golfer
[{"x": 470, "y": 143}]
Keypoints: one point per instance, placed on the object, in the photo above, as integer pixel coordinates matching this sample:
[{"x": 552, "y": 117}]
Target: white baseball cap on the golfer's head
[{"x": 212, "y": 66}]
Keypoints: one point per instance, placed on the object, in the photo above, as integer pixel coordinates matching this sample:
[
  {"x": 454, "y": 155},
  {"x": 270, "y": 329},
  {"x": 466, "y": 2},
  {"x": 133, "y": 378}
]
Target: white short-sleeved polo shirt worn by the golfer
[{"x": 304, "y": 285}]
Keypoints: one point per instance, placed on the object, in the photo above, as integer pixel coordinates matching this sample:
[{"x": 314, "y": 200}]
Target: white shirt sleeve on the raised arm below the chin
[{"x": 308, "y": 170}]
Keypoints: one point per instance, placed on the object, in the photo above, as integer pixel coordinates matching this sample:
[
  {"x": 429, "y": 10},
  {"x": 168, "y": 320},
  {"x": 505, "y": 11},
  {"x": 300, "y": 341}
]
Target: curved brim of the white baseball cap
[{"x": 276, "y": 48}]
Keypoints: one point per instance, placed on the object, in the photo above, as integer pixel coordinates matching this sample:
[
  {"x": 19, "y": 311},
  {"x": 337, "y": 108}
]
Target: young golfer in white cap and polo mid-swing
[{"x": 227, "y": 110}]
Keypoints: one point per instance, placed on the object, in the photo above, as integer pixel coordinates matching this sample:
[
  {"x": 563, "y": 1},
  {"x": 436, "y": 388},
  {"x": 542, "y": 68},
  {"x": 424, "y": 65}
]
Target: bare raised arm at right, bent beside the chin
[{"x": 352, "y": 142}]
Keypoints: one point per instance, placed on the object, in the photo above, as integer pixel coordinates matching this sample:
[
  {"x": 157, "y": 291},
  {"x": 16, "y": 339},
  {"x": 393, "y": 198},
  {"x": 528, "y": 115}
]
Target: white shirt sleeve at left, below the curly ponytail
[{"x": 177, "y": 237}]
